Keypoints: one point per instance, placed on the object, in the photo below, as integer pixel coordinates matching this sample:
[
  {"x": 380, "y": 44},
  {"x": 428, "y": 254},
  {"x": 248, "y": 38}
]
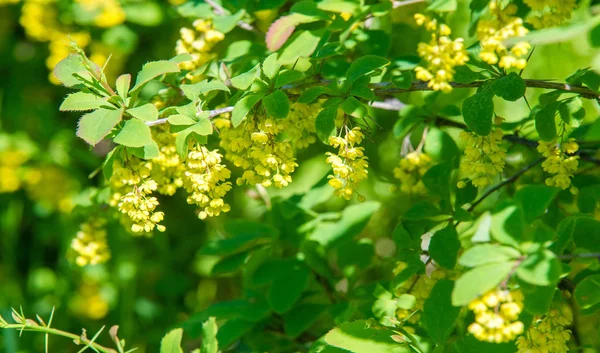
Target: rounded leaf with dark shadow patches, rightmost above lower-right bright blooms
[{"x": 541, "y": 268}]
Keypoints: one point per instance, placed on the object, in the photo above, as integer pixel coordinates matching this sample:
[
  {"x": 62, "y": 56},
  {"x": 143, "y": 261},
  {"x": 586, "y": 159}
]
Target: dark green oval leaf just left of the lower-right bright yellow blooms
[{"x": 439, "y": 315}]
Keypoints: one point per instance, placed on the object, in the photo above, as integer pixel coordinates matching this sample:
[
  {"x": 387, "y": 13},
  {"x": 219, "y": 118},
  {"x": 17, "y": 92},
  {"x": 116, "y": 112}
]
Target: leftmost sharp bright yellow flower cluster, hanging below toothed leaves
[{"x": 133, "y": 186}]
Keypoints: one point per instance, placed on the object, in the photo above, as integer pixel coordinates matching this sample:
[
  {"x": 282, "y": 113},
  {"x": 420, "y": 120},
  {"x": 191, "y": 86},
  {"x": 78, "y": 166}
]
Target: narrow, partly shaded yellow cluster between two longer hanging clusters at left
[{"x": 167, "y": 169}]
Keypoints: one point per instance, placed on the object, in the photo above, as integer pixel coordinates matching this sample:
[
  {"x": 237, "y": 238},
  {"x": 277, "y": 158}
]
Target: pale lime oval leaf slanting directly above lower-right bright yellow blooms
[{"x": 478, "y": 281}]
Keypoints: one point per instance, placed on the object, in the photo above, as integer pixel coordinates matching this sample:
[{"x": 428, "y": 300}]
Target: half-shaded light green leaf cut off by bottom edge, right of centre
[{"x": 361, "y": 337}]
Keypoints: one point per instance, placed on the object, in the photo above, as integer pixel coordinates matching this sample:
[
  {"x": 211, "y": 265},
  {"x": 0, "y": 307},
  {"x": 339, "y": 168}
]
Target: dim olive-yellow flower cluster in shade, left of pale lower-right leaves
[{"x": 420, "y": 287}]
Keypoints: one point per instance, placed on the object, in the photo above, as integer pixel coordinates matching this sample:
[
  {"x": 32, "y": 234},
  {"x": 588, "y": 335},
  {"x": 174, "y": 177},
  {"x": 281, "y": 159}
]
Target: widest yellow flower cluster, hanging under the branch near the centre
[{"x": 265, "y": 148}]
